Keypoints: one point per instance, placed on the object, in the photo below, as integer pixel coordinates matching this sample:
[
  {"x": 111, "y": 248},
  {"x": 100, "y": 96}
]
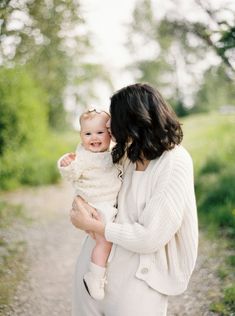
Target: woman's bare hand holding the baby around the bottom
[{"x": 85, "y": 217}]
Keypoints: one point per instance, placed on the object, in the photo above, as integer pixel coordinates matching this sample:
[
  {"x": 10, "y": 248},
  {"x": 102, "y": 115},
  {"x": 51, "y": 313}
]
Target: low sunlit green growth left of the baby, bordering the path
[{"x": 36, "y": 163}]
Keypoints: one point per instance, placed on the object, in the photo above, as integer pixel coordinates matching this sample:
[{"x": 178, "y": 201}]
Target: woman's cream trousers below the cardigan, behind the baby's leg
[{"x": 125, "y": 295}]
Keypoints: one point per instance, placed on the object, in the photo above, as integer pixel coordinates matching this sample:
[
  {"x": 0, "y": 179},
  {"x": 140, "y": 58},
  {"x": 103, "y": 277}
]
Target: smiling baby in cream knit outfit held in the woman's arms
[{"x": 97, "y": 180}]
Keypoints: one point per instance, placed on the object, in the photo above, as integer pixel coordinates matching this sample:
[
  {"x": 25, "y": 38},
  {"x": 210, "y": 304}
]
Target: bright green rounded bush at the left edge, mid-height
[{"x": 22, "y": 107}]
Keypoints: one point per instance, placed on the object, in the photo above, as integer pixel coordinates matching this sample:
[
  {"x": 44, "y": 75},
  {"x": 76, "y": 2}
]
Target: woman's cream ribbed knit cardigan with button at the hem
[{"x": 166, "y": 233}]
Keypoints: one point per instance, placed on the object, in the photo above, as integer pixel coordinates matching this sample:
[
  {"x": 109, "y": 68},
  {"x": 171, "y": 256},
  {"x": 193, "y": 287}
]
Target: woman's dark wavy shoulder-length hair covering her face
[{"x": 142, "y": 123}]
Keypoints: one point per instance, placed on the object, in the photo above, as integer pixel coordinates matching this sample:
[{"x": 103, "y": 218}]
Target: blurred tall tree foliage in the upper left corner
[{"x": 41, "y": 44}]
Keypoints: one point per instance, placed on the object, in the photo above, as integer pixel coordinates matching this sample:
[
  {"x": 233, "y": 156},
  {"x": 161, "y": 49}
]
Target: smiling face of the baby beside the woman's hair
[{"x": 94, "y": 134}]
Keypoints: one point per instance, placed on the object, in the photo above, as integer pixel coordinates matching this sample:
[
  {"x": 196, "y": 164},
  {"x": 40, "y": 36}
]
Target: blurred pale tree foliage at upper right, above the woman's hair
[{"x": 174, "y": 46}]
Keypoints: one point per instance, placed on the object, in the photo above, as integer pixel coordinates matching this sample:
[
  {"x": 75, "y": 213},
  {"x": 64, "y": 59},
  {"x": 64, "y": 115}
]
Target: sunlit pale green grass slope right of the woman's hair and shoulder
[{"x": 209, "y": 137}]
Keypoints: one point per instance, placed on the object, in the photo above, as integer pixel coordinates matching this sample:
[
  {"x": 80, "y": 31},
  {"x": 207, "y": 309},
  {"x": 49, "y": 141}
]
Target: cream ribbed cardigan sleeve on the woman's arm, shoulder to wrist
[{"x": 162, "y": 216}]
